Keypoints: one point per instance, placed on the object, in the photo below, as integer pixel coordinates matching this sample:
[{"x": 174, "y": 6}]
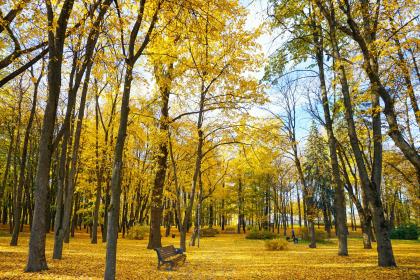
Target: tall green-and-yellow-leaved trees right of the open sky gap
[{"x": 371, "y": 61}]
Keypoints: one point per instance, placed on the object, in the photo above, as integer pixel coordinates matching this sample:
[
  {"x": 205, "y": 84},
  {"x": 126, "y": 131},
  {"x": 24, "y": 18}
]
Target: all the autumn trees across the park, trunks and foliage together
[{"x": 116, "y": 113}]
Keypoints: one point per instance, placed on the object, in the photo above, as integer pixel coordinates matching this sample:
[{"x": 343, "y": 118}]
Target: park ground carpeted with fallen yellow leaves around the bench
[{"x": 222, "y": 257}]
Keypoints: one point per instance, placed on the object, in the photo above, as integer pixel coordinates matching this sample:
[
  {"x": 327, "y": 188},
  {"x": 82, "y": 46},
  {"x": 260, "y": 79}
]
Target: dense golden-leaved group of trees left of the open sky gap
[{"x": 88, "y": 145}]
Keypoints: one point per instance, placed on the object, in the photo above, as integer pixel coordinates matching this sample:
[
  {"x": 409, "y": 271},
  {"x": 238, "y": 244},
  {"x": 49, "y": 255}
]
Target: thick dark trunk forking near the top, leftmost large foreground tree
[{"x": 36, "y": 257}]
